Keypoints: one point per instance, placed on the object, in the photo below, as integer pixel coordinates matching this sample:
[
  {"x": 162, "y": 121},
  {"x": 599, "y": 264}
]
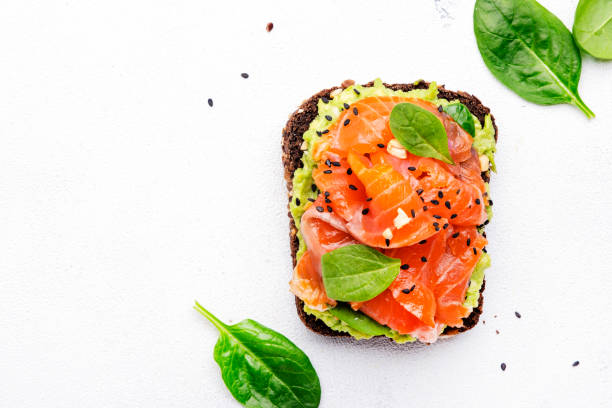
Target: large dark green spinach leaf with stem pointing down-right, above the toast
[{"x": 529, "y": 50}]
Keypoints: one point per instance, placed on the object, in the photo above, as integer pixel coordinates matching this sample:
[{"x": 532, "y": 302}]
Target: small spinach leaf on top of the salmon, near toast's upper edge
[{"x": 419, "y": 131}]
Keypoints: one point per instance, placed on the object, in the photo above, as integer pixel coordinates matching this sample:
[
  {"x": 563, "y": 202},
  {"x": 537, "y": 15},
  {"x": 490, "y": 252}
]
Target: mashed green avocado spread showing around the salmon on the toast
[{"x": 342, "y": 318}]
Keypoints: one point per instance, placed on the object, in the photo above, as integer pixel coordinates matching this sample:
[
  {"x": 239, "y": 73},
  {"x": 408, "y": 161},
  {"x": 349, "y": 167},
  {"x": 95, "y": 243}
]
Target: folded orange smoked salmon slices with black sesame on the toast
[{"x": 417, "y": 209}]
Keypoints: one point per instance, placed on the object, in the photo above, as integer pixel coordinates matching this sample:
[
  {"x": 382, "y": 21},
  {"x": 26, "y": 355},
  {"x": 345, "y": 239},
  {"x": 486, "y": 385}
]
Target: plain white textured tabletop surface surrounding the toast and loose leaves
[{"x": 124, "y": 197}]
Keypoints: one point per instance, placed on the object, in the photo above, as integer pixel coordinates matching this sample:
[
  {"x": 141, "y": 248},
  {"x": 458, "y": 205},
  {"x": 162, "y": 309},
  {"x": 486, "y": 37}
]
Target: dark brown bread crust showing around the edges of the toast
[{"x": 293, "y": 131}]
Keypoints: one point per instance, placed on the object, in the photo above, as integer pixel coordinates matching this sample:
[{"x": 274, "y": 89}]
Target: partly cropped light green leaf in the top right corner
[{"x": 593, "y": 27}]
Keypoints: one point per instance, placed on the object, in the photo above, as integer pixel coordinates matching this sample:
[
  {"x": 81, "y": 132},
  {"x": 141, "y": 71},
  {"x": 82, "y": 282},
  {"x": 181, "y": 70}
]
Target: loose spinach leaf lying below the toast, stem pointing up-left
[{"x": 261, "y": 367}]
